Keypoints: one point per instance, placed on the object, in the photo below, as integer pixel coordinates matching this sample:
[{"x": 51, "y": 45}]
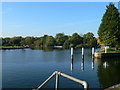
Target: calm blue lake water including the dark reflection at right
[{"x": 27, "y": 68}]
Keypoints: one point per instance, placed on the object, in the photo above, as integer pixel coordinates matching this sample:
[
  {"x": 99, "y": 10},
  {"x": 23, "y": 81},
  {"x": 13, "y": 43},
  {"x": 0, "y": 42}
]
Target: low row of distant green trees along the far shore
[{"x": 66, "y": 41}]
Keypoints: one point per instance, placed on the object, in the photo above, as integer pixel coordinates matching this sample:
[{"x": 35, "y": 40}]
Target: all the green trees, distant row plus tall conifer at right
[{"x": 108, "y": 32}]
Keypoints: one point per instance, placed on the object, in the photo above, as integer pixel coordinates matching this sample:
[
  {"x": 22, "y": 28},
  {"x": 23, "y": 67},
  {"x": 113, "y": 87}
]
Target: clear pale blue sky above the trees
[{"x": 39, "y": 18}]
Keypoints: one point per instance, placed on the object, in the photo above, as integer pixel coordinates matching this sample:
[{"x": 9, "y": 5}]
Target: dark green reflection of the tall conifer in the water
[{"x": 108, "y": 71}]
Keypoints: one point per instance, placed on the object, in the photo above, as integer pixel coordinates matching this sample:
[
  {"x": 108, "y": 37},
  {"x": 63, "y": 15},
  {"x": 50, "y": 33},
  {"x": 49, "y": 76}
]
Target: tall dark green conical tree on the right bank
[{"x": 109, "y": 30}]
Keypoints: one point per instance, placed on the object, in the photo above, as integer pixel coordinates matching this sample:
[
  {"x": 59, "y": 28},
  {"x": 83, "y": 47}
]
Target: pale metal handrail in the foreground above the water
[{"x": 84, "y": 83}]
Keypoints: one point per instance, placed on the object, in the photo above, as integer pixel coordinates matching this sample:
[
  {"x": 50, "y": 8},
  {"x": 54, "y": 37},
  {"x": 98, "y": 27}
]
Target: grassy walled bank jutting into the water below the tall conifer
[{"x": 111, "y": 52}]
